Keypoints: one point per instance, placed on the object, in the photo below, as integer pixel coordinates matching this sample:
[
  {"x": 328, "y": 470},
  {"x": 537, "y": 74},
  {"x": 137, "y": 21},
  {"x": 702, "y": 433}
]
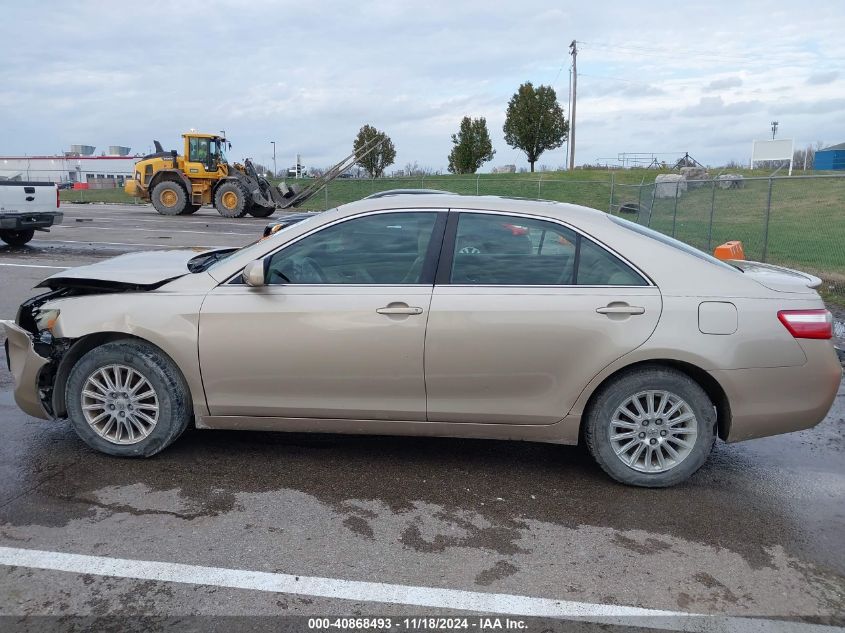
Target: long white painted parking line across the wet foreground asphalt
[{"x": 384, "y": 593}]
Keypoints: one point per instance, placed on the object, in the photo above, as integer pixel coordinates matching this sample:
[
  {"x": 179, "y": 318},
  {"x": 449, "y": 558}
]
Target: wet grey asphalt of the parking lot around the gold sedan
[{"x": 757, "y": 532}]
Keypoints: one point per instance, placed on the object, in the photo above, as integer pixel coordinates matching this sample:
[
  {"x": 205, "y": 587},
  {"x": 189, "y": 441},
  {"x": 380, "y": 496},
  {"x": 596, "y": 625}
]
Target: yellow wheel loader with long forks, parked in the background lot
[{"x": 180, "y": 184}]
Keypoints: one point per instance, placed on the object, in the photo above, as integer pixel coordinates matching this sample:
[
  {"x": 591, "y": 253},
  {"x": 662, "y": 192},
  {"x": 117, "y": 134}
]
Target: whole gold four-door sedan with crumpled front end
[{"x": 436, "y": 315}]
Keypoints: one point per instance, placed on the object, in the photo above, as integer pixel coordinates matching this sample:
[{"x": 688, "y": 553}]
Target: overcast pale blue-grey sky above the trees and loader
[{"x": 702, "y": 77}]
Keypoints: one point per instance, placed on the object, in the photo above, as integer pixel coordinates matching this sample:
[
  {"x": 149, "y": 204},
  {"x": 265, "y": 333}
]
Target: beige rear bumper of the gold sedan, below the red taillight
[{"x": 782, "y": 399}]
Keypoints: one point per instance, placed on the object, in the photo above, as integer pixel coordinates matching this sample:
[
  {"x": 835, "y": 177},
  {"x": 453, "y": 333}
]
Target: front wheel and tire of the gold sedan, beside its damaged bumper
[{"x": 127, "y": 399}]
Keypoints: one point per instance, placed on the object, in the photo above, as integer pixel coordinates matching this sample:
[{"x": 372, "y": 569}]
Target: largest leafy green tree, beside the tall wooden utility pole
[{"x": 535, "y": 121}]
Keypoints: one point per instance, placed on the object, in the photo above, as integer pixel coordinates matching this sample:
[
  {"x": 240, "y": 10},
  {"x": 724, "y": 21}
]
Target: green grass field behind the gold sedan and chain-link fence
[{"x": 805, "y": 227}]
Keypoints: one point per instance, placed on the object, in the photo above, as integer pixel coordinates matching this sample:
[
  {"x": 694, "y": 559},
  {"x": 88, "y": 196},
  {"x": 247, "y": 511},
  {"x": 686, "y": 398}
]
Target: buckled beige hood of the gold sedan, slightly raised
[{"x": 132, "y": 271}]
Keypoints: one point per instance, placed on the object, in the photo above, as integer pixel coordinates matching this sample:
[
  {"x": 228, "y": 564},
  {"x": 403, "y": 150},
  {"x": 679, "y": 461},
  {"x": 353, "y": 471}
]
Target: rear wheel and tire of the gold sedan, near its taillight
[{"x": 651, "y": 427}]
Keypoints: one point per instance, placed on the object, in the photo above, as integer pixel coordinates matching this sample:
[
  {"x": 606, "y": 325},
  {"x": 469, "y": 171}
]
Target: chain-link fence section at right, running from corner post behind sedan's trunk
[{"x": 796, "y": 221}]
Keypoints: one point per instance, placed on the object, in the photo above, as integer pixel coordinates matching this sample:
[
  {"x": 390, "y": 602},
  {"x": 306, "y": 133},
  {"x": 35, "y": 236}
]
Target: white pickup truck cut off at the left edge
[{"x": 26, "y": 207}]
